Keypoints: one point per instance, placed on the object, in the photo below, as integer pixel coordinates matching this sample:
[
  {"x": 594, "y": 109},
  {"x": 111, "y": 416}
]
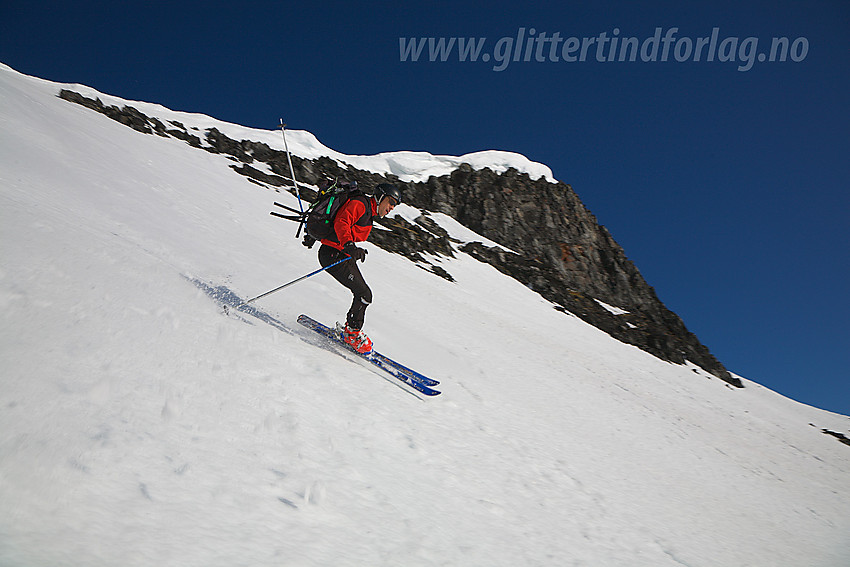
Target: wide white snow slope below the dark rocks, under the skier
[{"x": 140, "y": 426}]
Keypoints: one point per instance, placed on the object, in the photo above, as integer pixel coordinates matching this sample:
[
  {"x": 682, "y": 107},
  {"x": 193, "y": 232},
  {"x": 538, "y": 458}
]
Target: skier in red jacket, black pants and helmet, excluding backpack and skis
[{"x": 352, "y": 224}]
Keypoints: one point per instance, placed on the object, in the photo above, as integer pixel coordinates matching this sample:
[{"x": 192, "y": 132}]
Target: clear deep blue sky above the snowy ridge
[{"x": 727, "y": 188}]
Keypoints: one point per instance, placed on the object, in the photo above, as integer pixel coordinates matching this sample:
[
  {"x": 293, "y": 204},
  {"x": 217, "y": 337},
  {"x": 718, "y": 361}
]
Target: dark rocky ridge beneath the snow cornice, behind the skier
[{"x": 555, "y": 245}]
